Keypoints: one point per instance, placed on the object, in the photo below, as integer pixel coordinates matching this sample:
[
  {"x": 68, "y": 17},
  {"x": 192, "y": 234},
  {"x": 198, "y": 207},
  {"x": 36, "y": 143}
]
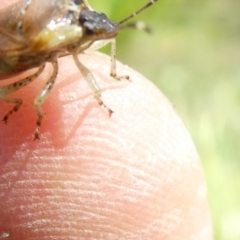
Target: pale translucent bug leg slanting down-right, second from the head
[{"x": 91, "y": 83}]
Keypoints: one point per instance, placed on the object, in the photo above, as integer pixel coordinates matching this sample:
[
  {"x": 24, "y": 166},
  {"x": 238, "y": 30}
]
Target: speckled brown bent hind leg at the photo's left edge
[{"x": 5, "y": 90}]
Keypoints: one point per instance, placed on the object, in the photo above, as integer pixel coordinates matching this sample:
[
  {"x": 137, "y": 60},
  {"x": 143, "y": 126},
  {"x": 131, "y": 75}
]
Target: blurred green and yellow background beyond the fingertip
[{"x": 193, "y": 56}]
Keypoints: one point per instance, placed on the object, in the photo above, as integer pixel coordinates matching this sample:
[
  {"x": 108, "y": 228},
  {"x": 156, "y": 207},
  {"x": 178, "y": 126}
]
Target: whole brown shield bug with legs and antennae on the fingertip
[{"x": 34, "y": 32}]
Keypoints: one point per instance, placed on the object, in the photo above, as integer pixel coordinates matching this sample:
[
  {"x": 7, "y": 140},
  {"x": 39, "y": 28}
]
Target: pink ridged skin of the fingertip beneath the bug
[{"x": 135, "y": 175}]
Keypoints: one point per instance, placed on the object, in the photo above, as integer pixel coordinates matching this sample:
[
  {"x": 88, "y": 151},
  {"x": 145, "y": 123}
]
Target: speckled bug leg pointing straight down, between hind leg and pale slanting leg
[{"x": 42, "y": 96}]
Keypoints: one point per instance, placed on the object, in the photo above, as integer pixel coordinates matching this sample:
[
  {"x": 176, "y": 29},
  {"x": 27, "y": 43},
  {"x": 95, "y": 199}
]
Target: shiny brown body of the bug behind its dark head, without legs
[{"x": 46, "y": 31}]
